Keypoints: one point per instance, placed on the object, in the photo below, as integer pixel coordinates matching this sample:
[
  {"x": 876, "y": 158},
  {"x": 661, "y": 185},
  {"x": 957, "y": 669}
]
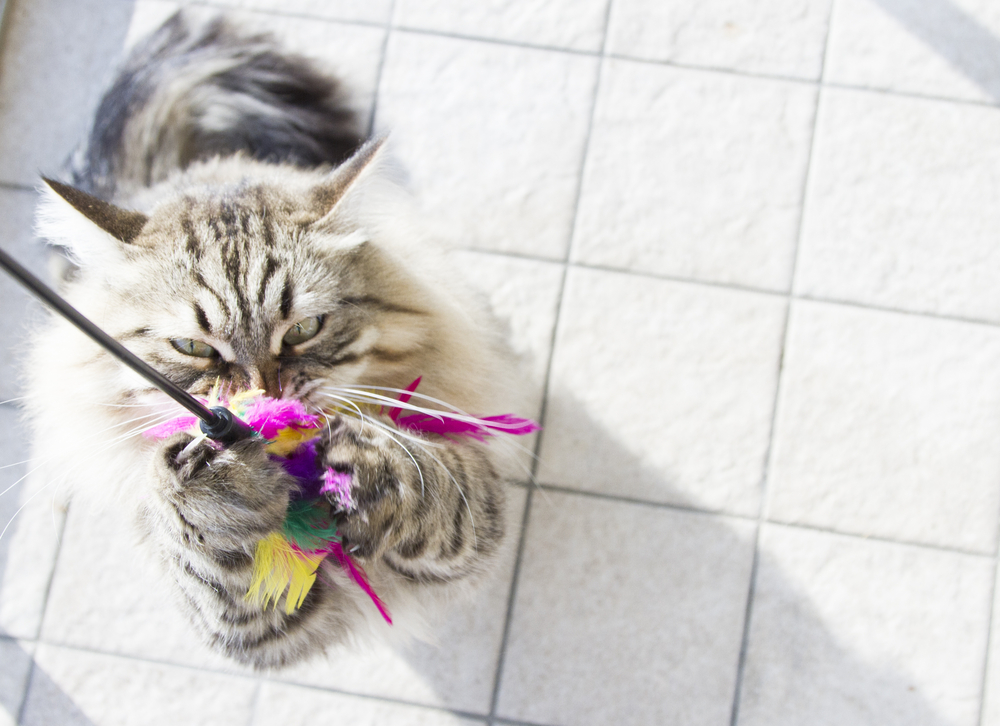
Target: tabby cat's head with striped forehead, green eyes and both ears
[{"x": 258, "y": 280}]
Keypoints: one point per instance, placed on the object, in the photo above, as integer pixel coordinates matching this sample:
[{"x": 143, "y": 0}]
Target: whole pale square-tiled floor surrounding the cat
[{"x": 753, "y": 249}]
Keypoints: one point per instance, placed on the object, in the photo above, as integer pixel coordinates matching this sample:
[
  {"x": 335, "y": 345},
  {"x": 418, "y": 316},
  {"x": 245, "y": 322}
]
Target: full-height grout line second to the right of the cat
[{"x": 741, "y": 662}]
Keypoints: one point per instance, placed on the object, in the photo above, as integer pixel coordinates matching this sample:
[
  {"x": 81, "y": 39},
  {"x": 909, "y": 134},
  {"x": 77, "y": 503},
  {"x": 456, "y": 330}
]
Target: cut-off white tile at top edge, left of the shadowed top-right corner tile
[{"x": 779, "y": 37}]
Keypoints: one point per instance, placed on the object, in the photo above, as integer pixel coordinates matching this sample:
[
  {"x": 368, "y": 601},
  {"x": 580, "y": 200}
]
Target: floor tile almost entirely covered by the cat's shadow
[{"x": 626, "y": 614}]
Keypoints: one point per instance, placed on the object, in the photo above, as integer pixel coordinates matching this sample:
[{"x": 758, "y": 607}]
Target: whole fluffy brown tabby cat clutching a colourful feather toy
[{"x": 225, "y": 220}]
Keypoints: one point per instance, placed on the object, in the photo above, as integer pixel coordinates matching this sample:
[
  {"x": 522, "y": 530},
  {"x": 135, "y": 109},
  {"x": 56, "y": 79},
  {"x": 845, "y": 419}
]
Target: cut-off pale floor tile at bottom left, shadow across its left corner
[{"x": 76, "y": 688}]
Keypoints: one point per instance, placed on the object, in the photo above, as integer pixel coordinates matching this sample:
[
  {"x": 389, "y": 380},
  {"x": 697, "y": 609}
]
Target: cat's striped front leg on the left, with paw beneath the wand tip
[{"x": 211, "y": 507}]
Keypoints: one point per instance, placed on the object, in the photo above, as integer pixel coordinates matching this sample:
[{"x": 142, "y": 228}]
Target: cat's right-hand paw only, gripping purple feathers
[{"x": 369, "y": 472}]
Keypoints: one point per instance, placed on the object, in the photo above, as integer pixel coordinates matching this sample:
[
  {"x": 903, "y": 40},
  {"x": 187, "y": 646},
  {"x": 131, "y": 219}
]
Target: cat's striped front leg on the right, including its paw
[{"x": 431, "y": 509}]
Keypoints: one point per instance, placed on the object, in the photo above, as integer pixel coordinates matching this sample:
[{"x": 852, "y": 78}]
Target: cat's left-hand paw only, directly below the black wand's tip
[{"x": 227, "y": 495}]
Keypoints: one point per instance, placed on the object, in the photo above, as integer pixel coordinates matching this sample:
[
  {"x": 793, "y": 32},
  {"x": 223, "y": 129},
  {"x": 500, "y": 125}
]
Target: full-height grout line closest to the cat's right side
[{"x": 547, "y": 382}]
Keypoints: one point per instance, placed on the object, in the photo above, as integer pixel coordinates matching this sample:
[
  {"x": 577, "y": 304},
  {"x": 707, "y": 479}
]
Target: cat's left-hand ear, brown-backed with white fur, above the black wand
[{"x": 90, "y": 228}]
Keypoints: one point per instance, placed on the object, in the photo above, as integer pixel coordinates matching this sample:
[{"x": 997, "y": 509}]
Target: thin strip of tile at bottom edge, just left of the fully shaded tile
[{"x": 293, "y": 706}]
